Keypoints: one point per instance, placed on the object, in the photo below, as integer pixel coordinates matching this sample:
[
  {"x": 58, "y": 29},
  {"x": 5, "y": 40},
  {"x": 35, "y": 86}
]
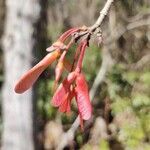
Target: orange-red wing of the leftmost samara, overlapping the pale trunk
[{"x": 28, "y": 79}]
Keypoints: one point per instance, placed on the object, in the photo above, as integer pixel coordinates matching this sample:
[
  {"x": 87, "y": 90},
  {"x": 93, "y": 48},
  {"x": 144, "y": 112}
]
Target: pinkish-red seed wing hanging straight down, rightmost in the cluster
[{"x": 82, "y": 97}]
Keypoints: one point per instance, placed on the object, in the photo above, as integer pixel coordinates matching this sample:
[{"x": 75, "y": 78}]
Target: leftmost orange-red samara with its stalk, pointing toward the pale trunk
[{"x": 28, "y": 79}]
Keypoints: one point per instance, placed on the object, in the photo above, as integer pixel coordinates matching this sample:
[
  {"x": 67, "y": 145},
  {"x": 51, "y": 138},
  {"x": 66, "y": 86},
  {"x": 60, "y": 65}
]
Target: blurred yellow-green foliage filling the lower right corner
[{"x": 131, "y": 106}]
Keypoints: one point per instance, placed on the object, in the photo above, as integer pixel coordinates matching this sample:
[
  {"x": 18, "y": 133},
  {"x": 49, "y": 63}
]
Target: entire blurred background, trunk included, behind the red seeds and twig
[{"x": 118, "y": 74}]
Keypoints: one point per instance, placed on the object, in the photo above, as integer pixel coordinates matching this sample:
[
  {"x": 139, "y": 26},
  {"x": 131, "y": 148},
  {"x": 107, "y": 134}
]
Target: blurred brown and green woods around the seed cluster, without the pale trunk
[{"x": 118, "y": 75}]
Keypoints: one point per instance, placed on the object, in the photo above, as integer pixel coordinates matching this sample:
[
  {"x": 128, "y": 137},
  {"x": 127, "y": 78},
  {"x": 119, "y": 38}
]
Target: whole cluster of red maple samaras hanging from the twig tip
[{"x": 74, "y": 85}]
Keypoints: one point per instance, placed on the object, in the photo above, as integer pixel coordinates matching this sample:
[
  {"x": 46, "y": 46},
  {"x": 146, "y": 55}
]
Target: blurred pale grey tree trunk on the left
[{"x": 18, "y": 43}]
